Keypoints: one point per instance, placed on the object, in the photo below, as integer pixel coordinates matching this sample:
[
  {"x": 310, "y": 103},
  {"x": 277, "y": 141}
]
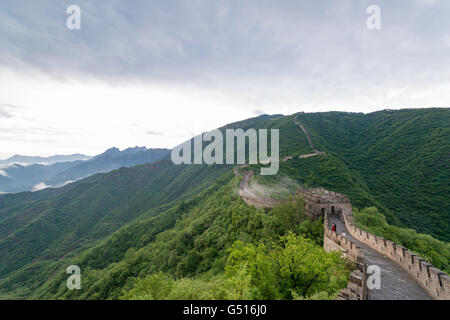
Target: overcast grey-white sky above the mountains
[{"x": 154, "y": 73}]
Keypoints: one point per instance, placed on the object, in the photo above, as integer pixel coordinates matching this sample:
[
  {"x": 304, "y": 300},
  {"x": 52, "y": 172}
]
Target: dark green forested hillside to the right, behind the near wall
[{"x": 397, "y": 160}]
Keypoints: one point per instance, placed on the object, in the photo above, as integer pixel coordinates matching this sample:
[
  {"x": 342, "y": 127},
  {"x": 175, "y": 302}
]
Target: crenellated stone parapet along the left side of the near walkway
[{"x": 356, "y": 288}]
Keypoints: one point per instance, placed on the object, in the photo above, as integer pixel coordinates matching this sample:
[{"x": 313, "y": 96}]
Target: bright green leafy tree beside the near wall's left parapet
[{"x": 294, "y": 266}]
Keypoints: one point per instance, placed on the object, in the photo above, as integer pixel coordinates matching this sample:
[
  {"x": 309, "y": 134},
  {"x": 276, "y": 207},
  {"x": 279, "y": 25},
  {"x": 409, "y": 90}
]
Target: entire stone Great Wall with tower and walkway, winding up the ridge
[{"x": 404, "y": 275}]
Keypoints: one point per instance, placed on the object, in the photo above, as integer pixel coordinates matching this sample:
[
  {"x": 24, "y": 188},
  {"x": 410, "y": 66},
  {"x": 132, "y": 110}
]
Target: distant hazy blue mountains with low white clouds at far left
[{"x": 24, "y": 173}]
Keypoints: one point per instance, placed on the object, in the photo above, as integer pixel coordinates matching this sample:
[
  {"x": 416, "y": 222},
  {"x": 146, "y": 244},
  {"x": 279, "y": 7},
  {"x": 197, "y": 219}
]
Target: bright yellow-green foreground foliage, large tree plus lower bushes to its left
[{"x": 294, "y": 267}]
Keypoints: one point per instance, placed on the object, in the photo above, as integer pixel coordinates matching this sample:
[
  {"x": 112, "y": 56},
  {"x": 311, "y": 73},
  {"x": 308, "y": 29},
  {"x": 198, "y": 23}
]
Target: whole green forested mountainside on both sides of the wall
[{"x": 188, "y": 222}]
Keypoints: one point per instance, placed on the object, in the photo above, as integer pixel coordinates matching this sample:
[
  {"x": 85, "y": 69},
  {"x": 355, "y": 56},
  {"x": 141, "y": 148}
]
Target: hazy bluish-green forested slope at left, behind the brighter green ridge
[{"x": 52, "y": 224}]
